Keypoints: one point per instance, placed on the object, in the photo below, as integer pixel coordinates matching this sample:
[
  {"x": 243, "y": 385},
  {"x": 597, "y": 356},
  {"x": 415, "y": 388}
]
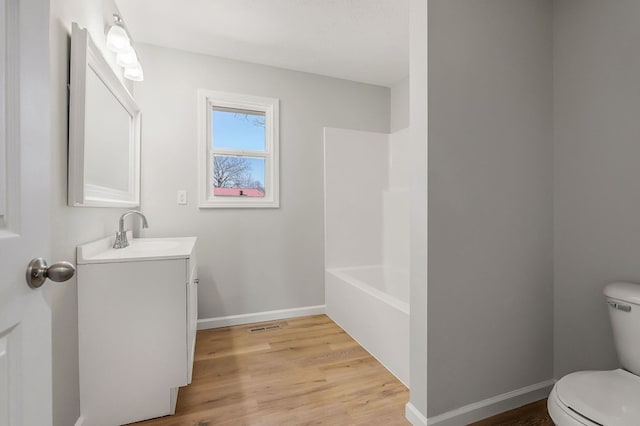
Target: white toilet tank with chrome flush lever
[{"x": 624, "y": 310}]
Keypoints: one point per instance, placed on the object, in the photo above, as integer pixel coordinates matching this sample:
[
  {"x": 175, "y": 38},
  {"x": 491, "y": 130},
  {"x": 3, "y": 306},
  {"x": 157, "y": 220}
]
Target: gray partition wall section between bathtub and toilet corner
[{"x": 490, "y": 302}]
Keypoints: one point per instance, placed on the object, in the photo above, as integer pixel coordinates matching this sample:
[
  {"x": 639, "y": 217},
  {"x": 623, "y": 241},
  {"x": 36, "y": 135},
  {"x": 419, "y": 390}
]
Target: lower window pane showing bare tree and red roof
[{"x": 238, "y": 176}]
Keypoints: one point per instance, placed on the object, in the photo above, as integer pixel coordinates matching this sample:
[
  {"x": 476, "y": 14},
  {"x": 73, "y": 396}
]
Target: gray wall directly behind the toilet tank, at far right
[{"x": 597, "y": 178}]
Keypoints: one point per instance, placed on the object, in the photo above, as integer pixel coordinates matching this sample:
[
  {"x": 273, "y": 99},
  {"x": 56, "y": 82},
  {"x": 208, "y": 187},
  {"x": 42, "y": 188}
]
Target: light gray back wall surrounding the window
[{"x": 250, "y": 260}]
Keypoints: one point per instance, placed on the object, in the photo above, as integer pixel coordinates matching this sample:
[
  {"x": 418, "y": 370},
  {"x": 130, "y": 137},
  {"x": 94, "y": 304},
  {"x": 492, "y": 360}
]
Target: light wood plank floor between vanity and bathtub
[{"x": 306, "y": 372}]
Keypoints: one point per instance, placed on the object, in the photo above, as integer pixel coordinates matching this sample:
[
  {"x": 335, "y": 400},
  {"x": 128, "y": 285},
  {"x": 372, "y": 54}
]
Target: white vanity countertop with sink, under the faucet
[{"x": 139, "y": 249}]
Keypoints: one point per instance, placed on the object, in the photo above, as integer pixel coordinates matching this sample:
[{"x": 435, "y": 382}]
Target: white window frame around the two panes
[{"x": 209, "y": 99}]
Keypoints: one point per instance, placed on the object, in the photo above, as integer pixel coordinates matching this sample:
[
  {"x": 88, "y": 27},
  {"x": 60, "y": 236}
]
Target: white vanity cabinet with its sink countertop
[{"x": 137, "y": 310}]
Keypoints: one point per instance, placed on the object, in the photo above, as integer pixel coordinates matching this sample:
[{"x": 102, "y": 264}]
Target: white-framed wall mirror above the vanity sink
[{"x": 104, "y": 131}]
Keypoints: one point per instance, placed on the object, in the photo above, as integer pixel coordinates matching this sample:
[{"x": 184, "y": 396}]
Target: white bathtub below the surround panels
[{"x": 371, "y": 303}]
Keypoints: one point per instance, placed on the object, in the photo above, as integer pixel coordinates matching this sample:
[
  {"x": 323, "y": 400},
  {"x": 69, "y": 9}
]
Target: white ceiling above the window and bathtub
[{"x": 360, "y": 40}]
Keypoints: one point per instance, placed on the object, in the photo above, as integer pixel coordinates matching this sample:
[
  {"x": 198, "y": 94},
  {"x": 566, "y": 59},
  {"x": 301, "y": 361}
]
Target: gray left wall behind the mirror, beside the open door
[{"x": 70, "y": 226}]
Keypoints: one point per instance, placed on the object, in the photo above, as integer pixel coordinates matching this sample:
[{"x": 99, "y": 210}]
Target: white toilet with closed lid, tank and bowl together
[{"x": 606, "y": 398}]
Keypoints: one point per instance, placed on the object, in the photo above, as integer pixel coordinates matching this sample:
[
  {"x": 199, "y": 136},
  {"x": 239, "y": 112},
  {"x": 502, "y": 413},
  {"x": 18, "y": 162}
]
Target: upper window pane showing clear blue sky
[{"x": 238, "y": 129}]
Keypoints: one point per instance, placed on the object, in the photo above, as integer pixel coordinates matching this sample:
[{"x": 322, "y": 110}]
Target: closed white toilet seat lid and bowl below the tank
[{"x": 610, "y": 398}]
